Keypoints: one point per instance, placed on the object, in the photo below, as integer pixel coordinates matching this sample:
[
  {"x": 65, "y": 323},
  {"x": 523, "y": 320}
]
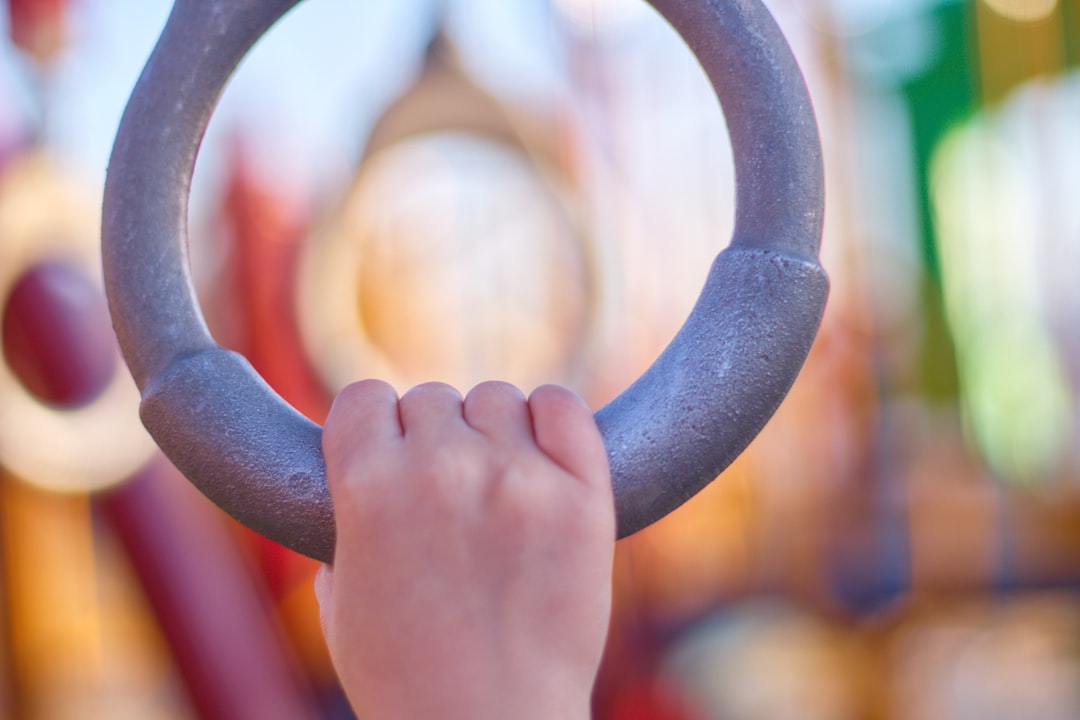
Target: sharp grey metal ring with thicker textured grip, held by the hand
[{"x": 668, "y": 436}]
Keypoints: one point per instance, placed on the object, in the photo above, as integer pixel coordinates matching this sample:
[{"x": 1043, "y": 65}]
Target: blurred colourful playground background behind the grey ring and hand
[{"x": 533, "y": 192}]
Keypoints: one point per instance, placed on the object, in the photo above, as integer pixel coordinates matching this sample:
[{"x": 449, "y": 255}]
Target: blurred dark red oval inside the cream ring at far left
[{"x": 52, "y": 316}]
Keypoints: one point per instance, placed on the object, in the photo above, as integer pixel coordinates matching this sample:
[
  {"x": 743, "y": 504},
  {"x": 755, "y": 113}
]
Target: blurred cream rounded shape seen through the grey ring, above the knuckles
[{"x": 453, "y": 259}]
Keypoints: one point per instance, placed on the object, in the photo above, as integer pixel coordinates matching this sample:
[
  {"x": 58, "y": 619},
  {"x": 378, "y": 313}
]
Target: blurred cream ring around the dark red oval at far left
[{"x": 46, "y": 219}]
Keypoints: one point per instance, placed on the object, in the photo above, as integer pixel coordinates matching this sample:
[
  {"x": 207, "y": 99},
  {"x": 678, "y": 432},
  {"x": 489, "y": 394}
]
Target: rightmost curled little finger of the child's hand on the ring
[{"x": 566, "y": 432}]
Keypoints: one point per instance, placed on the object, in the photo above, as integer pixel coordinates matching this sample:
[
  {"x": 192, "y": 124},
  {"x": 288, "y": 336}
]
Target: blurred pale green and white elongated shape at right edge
[{"x": 1016, "y": 390}]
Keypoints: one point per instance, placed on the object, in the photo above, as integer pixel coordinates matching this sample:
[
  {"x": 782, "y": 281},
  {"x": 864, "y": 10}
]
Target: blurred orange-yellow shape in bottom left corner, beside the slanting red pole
[{"x": 83, "y": 643}]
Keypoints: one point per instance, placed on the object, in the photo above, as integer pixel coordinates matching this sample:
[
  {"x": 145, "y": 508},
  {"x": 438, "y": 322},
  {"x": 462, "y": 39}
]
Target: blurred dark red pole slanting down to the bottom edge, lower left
[{"x": 215, "y": 618}]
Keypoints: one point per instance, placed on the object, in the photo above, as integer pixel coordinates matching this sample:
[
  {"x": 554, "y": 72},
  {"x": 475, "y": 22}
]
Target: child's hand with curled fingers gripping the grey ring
[{"x": 475, "y": 548}]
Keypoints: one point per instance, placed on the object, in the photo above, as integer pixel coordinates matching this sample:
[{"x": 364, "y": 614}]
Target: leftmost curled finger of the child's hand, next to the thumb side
[{"x": 363, "y": 417}]
